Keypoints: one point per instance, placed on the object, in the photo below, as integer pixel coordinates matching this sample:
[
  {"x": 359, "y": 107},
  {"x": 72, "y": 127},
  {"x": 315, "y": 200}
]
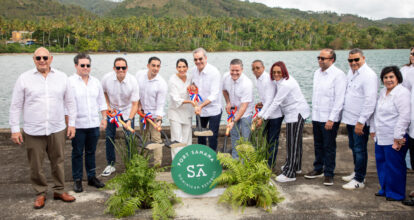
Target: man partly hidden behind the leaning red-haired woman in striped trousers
[{"x": 267, "y": 91}]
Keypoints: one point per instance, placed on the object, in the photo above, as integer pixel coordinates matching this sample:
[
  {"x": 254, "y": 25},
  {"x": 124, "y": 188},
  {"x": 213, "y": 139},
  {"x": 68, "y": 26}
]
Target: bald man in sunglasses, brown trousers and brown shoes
[{"x": 42, "y": 94}]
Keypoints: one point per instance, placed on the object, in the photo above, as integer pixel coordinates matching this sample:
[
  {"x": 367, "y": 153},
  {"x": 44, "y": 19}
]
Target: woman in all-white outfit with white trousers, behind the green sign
[{"x": 180, "y": 111}]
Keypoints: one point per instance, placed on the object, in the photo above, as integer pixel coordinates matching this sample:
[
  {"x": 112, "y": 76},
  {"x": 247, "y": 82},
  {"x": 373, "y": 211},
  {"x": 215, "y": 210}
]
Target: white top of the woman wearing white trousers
[{"x": 177, "y": 111}]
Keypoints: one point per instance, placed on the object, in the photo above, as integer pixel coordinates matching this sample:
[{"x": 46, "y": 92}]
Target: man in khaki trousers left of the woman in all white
[{"x": 153, "y": 90}]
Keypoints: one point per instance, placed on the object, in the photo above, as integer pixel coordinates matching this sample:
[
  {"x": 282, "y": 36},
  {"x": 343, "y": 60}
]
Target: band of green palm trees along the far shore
[{"x": 147, "y": 33}]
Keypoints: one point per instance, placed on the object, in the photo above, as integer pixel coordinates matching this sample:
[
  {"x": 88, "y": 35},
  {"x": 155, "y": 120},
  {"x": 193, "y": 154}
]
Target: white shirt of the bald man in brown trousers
[{"x": 43, "y": 102}]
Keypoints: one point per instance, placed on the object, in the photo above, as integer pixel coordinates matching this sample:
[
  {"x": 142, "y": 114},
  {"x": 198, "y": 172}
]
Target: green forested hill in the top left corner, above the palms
[{"x": 34, "y": 9}]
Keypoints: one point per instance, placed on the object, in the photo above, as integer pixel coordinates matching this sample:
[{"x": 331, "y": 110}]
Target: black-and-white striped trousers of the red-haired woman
[{"x": 294, "y": 136}]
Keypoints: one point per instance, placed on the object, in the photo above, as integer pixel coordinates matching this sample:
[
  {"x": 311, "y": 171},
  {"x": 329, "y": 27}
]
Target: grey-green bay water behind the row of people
[{"x": 300, "y": 64}]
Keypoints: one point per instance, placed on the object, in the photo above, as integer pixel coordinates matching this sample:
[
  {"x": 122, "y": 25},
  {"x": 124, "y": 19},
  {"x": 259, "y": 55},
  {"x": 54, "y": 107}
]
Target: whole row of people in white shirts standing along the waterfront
[{"x": 56, "y": 107}]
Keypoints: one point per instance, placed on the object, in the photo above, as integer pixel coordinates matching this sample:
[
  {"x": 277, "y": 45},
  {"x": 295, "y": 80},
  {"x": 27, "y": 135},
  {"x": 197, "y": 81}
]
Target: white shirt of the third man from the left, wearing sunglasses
[{"x": 121, "y": 94}]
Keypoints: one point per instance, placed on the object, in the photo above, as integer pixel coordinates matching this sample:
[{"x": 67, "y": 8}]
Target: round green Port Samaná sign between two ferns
[{"x": 194, "y": 168}]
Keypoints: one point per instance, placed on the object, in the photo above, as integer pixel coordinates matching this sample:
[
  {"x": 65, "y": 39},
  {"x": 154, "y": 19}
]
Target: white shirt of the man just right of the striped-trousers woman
[{"x": 328, "y": 94}]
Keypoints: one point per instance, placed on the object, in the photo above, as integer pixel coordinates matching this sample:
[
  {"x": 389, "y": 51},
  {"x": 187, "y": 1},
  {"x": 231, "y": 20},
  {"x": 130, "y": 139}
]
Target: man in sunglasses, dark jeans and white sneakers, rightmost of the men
[{"x": 359, "y": 106}]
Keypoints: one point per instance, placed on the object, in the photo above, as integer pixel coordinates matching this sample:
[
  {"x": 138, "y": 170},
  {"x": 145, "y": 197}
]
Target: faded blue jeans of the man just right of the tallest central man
[{"x": 242, "y": 127}]
